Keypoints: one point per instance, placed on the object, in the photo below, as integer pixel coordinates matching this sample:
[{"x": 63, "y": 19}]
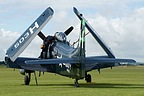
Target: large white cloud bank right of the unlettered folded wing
[{"x": 124, "y": 35}]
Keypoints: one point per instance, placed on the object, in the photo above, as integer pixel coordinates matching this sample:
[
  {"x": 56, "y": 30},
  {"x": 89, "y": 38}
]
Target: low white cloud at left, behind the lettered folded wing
[{"x": 7, "y": 38}]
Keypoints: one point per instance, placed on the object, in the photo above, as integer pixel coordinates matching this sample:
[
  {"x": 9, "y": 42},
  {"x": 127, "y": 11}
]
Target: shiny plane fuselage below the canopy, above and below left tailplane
[{"x": 65, "y": 50}]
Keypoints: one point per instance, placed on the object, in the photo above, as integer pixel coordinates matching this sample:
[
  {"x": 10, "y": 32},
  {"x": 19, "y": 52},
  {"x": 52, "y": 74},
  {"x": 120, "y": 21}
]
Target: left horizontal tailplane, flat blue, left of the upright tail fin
[{"x": 53, "y": 61}]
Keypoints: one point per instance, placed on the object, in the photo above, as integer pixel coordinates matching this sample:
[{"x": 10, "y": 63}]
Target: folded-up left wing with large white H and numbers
[{"x": 25, "y": 39}]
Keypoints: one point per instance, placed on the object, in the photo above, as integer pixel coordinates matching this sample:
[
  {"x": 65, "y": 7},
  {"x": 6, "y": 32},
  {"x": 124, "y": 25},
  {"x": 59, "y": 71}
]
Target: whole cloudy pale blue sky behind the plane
[{"x": 118, "y": 22}]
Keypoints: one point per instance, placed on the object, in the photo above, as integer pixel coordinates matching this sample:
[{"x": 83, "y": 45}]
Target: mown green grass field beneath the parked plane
[{"x": 120, "y": 81}]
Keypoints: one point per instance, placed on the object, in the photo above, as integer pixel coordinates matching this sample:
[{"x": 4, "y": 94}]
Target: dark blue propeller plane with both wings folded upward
[{"x": 57, "y": 54}]
